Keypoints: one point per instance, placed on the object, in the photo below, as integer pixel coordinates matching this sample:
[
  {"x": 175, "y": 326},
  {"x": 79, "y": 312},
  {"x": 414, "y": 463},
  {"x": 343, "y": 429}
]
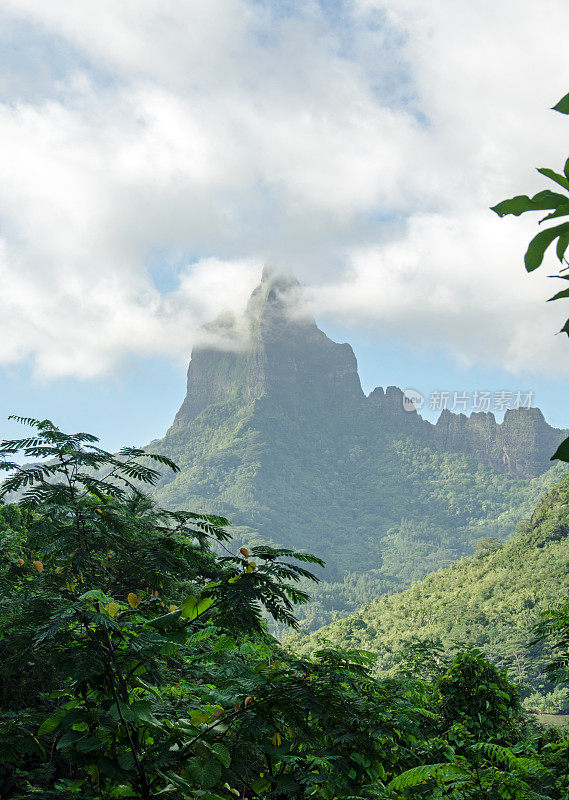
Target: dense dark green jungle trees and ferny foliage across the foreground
[{"x": 134, "y": 662}]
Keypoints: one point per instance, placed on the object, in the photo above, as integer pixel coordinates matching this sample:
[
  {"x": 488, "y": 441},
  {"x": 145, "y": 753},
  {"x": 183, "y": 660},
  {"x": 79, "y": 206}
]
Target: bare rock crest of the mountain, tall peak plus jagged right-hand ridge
[{"x": 287, "y": 357}]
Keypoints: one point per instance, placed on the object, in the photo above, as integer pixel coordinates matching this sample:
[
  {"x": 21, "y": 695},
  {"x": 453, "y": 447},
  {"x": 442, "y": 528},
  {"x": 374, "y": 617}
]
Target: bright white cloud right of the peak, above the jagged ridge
[{"x": 443, "y": 294}]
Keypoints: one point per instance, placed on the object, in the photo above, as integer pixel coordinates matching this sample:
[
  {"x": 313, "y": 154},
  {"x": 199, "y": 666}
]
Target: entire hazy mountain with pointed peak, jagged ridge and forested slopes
[{"x": 277, "y": 434}]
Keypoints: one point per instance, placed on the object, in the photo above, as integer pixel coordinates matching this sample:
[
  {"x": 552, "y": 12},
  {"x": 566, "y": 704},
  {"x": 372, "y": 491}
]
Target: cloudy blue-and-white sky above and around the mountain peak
[{"x": 154, "y": 154}]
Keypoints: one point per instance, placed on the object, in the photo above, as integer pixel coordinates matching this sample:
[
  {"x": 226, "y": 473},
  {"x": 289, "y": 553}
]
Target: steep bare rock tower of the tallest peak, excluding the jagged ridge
[{"x": 284, "y": 357}]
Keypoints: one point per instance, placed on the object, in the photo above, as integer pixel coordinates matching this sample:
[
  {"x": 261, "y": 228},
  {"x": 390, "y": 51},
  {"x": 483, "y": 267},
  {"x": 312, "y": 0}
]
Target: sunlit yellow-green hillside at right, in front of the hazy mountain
[{"x": 489, "y": 600}]
